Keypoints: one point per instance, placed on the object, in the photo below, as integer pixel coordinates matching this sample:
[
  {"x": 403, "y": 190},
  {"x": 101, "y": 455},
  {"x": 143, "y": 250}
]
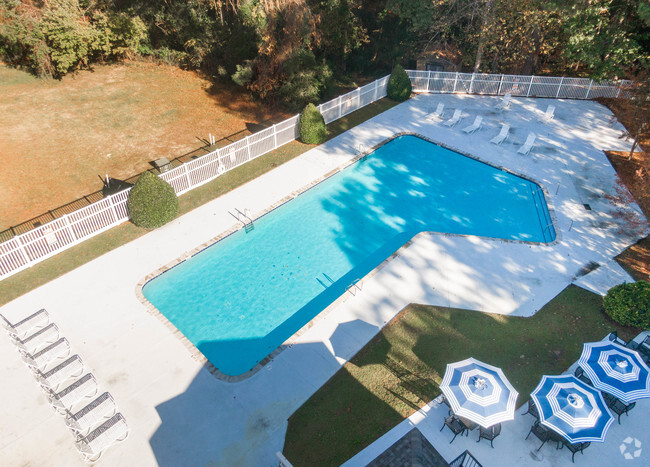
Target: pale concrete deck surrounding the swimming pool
[{"x": 181, "y": 414}]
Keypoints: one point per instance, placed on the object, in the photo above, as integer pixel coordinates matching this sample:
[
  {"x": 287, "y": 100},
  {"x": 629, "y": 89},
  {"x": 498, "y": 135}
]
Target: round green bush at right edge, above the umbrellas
[{"x": 629, "y": 304}]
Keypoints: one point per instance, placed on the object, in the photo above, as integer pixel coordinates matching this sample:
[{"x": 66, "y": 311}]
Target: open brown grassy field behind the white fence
[{"x": 59, "y": 138}]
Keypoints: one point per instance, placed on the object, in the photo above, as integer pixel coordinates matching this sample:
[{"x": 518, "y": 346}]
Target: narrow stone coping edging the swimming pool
[{"x": 355, "y": 286}]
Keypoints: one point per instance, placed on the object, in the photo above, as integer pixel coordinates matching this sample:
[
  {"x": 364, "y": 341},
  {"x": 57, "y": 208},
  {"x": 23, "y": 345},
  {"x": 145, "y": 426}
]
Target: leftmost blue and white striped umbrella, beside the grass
[{"x": 479, "y": 392}]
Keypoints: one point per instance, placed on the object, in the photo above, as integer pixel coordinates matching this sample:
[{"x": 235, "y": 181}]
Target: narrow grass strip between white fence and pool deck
[{"x": 45, "y": 271}]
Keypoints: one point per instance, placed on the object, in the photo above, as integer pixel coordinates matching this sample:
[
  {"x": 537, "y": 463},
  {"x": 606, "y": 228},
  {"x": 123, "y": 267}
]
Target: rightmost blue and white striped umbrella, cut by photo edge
[{"x": 616, "y": 370}]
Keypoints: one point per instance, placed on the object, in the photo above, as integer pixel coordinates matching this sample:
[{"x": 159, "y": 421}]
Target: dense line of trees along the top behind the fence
[{"x": 291, "y": 51}]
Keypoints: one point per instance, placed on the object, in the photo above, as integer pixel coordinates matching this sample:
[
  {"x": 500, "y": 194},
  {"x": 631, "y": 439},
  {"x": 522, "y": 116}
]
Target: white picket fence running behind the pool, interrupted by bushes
[{"x": 34, "y": 246}]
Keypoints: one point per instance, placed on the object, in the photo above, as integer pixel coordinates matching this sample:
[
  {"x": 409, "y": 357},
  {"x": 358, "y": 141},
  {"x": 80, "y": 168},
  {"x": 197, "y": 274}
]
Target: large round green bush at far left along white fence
[{"x": 152, "y": 202}]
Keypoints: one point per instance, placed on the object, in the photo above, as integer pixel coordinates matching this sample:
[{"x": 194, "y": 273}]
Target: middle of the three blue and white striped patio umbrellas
[{"x": 572, "y": 408}]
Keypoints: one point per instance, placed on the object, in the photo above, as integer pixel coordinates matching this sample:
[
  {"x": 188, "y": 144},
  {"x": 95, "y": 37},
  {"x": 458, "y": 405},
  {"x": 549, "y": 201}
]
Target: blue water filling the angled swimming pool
[{"x": 241, "y": 298}]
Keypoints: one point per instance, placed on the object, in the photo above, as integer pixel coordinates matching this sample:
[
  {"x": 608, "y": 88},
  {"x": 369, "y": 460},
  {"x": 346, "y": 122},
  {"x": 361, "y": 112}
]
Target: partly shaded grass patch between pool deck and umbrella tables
[{"x": 401, "y": 368}]
